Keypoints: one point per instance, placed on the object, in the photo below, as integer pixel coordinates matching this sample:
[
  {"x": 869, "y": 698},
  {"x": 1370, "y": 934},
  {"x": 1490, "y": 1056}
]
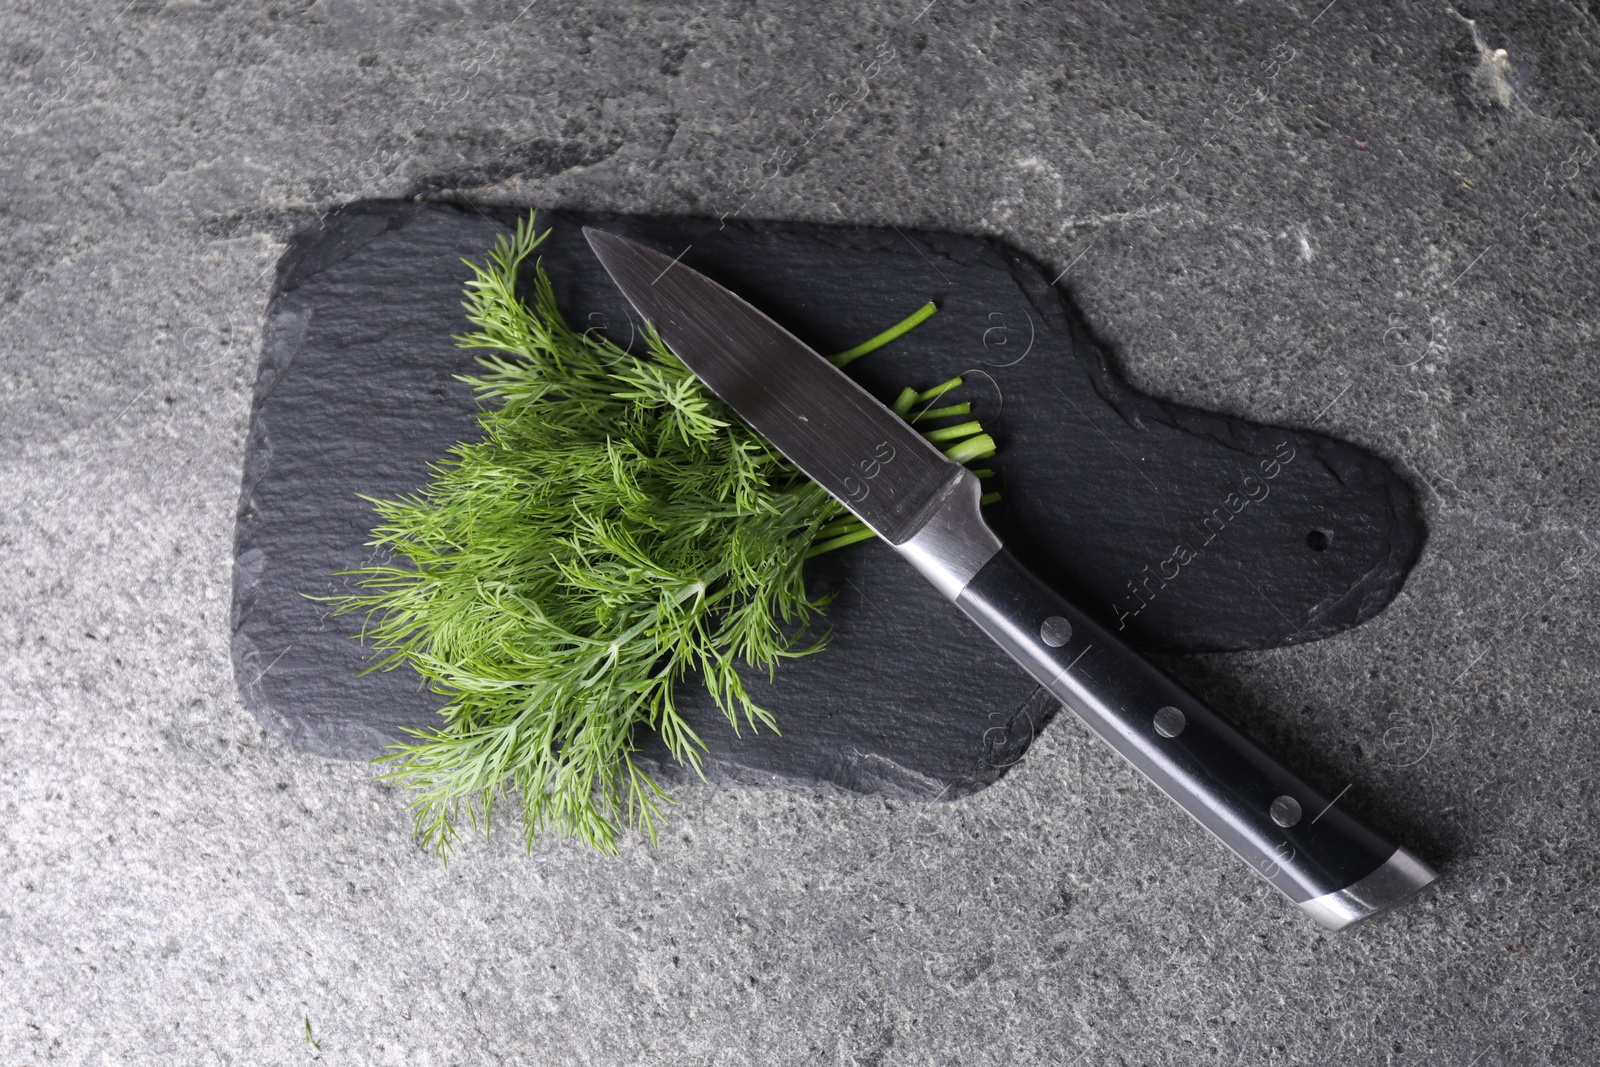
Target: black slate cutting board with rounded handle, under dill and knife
[{"x": 1287, "y": 537}]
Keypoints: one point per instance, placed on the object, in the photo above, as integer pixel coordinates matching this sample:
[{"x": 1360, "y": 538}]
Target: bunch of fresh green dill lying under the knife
[{"x": 615, "y": 530}]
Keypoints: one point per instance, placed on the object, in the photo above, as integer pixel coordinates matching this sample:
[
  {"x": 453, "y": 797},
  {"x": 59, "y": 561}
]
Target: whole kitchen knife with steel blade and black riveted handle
[{"x": 1322, "y": 858}]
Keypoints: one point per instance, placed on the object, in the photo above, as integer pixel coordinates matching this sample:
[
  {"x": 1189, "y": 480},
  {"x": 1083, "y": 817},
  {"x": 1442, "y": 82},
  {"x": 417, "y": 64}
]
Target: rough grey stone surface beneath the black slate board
[{"x": 1359, "y": 217}]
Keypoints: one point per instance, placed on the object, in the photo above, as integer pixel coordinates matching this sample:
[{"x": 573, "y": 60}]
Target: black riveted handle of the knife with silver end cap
[{"x": 1321, "y": 857}]
